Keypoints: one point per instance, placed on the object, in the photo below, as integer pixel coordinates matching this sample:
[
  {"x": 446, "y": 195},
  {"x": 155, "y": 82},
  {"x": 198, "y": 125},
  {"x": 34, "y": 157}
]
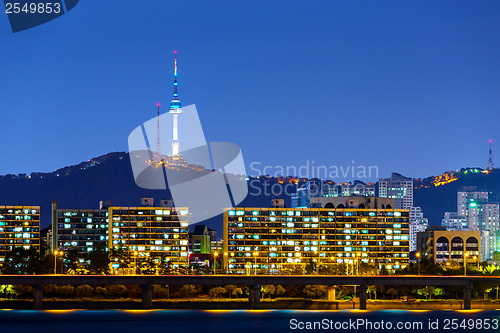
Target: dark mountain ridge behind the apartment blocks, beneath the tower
[{"x": 109, "y": 177}]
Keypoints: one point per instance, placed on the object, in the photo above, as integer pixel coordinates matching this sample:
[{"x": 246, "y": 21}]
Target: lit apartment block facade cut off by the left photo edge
[{"x": 19, "y": 227}]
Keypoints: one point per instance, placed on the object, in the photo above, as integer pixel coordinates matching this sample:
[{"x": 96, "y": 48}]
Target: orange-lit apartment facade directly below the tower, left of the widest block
[{"x": 150, "y": 232}]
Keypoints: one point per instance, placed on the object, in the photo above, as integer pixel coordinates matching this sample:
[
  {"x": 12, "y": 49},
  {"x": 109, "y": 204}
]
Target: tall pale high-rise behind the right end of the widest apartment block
[{"x": 399, "y": 188}]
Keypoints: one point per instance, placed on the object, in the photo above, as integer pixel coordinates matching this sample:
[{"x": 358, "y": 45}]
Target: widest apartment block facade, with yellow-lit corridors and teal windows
[{"x": 273, "y": 239}]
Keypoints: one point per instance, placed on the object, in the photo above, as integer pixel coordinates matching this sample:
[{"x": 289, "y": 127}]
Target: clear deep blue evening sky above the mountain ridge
[{"x": 408, "y": 86}]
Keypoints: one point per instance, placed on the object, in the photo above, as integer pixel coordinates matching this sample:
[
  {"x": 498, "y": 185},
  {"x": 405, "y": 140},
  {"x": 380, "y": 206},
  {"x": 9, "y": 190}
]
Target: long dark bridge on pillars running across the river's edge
[{"x": 253, "y": 282}]
